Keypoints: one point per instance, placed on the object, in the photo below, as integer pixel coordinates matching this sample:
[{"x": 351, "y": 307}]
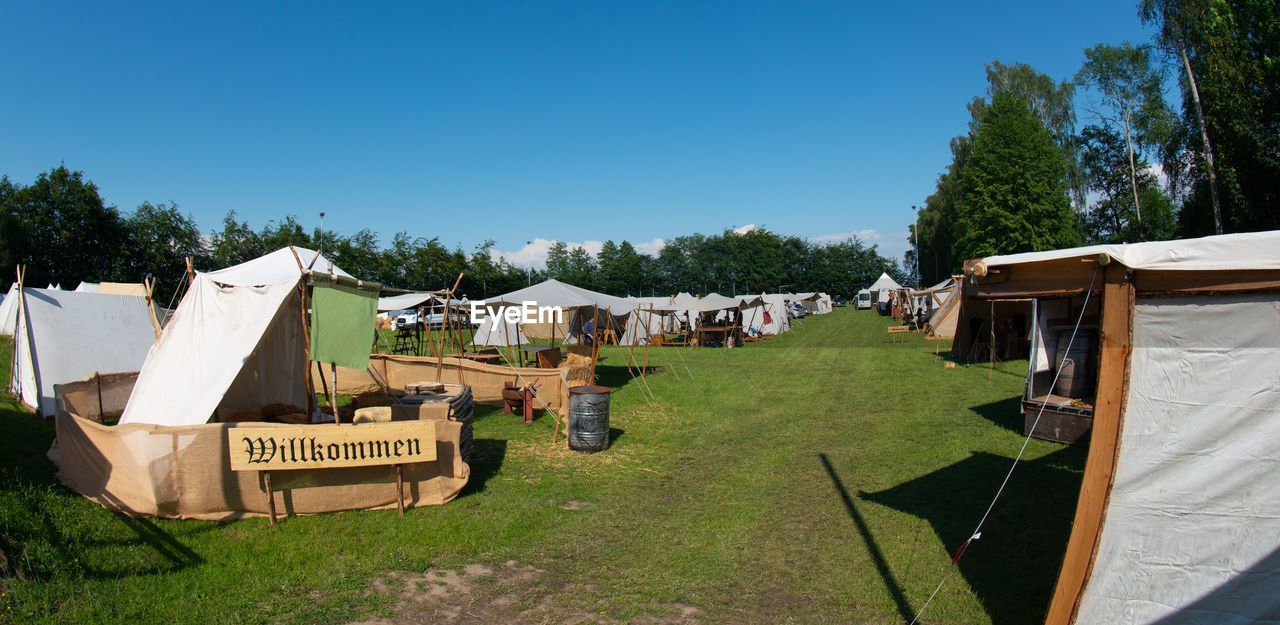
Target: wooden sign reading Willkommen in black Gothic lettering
[{"x": 330, "y": 446}]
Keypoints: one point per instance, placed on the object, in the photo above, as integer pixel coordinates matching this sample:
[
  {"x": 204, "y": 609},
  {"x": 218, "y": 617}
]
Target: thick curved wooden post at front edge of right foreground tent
[{"x": 1117, "y": 349}]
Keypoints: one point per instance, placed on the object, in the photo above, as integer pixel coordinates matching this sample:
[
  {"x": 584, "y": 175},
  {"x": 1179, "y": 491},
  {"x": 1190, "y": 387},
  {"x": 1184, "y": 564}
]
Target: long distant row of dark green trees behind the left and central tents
[{"x": 62, "y": 230}]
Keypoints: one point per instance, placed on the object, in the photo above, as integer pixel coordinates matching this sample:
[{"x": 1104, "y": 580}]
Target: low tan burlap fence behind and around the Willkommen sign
[{"x": 185, "y": 472}]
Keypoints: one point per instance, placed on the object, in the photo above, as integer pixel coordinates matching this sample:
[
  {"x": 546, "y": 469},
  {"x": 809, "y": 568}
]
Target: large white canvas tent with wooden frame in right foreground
[{"x": 1178, "y": 519}]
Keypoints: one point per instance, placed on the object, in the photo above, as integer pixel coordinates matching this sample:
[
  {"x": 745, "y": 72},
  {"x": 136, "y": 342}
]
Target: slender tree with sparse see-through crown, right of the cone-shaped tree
[{"x": 1132, "y": 102}]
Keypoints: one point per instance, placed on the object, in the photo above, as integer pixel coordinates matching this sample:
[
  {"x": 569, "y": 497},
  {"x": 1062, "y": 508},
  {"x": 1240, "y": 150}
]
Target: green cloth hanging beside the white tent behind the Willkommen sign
[{"x": 342, "y": 321}]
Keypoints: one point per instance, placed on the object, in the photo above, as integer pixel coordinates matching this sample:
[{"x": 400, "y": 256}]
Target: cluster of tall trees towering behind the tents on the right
[{"x": 1026, "y": 179}]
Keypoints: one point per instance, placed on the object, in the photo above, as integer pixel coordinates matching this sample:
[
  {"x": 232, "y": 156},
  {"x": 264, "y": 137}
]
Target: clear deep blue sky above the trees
[{"x": 573, "y": 121}]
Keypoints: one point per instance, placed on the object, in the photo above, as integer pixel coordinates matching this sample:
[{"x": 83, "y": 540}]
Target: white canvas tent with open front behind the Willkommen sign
[{"x": 234, "y": 344}]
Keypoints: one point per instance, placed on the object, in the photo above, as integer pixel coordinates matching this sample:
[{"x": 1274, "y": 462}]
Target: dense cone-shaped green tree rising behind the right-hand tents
[{"x": 1014, "y": 194}]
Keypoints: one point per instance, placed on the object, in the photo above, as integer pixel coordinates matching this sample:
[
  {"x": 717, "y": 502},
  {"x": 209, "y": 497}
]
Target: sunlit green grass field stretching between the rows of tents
[{"x": 826, "y": 476}]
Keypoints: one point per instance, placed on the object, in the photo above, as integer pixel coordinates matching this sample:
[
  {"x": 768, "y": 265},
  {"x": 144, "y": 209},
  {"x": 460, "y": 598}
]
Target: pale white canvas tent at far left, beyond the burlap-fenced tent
[{"x": 66, "y": 336}]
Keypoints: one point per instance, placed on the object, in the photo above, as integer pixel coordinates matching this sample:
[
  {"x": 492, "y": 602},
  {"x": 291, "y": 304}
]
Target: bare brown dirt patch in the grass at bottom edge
[{"x": 510, "y": 594}]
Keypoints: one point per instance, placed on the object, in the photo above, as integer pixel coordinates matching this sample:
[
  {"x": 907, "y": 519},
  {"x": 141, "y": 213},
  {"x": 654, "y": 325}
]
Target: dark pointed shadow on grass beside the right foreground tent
[{"x": 1014, "y": 565}]
